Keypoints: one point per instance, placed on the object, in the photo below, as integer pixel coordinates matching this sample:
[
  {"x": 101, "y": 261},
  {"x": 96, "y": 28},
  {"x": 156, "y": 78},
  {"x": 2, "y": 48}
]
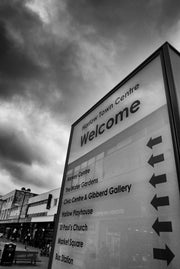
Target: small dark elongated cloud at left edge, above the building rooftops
[{"x": 15, "y": 147}]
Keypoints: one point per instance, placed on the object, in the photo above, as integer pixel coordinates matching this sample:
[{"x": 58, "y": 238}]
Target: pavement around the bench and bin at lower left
[{"x": 43, "y": 264}]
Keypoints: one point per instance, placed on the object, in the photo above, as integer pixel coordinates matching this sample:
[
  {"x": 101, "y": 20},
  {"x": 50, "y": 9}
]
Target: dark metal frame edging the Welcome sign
[{"x": 174, "y": 118}]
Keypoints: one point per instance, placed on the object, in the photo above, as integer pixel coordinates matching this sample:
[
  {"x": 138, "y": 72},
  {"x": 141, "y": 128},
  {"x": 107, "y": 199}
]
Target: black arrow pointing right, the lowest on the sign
[{"x": 163, "y": 254}]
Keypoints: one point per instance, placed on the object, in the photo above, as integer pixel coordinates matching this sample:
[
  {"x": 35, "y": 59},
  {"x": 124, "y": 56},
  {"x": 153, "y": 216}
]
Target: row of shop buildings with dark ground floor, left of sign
[{"x": 24, "y": 213}]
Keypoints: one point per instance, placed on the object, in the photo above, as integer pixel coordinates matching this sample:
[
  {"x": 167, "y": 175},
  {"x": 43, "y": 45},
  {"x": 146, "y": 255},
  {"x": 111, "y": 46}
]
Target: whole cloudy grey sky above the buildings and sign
[{"x": 58, "y": 58}]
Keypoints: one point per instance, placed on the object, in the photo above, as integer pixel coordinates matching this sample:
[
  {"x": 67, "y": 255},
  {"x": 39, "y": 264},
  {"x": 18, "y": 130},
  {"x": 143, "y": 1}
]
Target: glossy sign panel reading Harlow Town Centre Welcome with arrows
[{"x": 120, "y": 205}]
